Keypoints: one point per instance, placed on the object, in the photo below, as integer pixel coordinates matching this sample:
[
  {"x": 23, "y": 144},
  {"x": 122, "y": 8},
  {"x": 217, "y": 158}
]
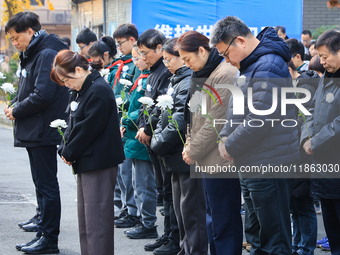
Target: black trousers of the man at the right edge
[{"x": 331, "y": 220}]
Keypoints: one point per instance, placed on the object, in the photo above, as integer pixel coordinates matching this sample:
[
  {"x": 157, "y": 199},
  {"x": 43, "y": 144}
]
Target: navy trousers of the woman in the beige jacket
[{"x": 224, "y": 223}]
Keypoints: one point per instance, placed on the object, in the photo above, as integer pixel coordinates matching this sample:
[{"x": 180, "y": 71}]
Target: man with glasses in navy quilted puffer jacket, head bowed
[{"x": 261, "y": 61}]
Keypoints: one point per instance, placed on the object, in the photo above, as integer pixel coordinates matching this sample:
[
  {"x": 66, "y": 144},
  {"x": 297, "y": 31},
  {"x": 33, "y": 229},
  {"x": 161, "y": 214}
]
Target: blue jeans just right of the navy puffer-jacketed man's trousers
[{"x": 304, "y": 225}]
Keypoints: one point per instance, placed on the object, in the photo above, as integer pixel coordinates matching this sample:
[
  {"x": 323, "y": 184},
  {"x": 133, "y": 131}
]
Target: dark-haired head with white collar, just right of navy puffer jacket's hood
[{"x": 297, "y": 54}]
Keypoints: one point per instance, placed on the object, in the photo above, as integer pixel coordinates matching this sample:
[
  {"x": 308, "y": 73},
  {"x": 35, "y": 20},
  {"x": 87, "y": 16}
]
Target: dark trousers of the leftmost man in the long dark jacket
[{"x": 43, "y": 162}]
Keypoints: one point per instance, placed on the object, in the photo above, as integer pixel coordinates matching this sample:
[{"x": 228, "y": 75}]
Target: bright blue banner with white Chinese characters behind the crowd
[{"x": 173, "y": 18}]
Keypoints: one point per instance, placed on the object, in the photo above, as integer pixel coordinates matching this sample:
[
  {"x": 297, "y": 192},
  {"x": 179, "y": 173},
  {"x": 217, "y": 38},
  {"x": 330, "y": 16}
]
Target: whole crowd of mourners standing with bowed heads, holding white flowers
[{"x": 136, "y": 116}]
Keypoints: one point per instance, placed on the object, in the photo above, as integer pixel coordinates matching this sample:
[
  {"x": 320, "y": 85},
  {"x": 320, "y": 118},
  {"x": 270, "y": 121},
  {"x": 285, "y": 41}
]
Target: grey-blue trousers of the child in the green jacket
[{"x": 144, "y": 185}]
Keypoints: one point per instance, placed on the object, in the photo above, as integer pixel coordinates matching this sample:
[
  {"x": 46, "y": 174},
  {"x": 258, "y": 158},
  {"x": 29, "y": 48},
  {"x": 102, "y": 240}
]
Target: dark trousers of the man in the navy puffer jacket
[{"x": 267, "y": 204}]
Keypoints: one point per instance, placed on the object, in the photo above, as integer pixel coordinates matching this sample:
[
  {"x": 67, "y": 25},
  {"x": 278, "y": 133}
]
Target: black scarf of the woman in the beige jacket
[{"x": 213, "y": 61}]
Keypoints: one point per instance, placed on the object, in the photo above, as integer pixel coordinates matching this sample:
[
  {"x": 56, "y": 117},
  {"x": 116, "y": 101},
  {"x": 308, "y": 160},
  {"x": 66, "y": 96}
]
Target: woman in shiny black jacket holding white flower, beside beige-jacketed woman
[{"x": 188, "y": 197}]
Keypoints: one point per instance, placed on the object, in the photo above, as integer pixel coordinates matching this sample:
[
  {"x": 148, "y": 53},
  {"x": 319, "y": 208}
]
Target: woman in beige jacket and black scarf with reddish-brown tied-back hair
[{"x": 222, "y": 195}]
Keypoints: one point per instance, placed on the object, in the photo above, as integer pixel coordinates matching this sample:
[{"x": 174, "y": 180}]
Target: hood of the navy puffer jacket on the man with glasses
[{"x": 270, "y": 43}]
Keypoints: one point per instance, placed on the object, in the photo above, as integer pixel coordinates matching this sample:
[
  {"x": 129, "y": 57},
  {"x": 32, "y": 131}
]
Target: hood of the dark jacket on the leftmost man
[{"x": 42, "y": 40}]
